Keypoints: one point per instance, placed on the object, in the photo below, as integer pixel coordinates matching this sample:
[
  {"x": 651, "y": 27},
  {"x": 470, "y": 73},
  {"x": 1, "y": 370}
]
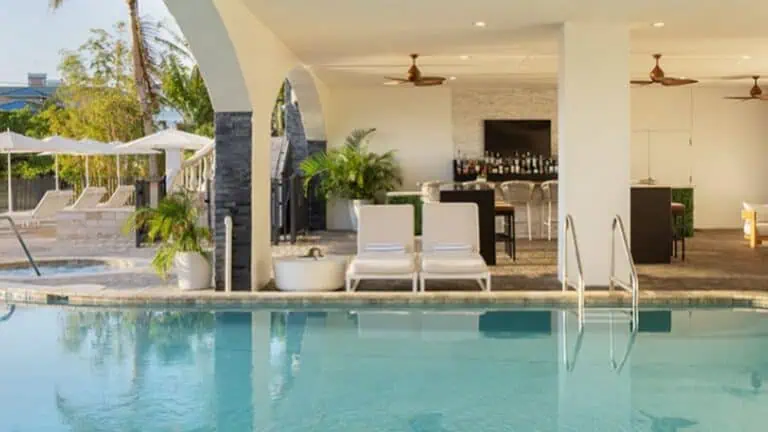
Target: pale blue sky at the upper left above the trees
[{"x": 32, "y": 36}]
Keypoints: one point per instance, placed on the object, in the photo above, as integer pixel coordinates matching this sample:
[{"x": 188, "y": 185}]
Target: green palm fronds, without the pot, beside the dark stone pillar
[{"x": 174, "y": 223}]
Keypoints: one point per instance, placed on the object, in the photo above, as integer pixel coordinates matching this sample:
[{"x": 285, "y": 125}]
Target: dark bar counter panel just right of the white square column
[{"x": 651, "y": 228}]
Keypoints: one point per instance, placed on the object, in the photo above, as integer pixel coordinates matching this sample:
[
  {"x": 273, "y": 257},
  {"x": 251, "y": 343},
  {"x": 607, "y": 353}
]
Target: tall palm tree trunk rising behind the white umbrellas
[{"x": 142, "y": 70}]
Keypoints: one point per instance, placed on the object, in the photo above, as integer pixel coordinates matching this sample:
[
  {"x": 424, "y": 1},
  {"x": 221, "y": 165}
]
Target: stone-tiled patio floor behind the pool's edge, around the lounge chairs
[{"x": 715, "y": 260}]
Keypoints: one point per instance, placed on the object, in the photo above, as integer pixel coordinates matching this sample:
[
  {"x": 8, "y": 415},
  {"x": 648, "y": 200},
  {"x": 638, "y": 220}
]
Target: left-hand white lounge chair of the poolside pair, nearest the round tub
[{"x": 385, "y": 246}]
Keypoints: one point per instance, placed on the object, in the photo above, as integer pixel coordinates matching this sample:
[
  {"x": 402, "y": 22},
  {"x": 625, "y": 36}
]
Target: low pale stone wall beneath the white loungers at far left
[{"x": 91, "y": 224}]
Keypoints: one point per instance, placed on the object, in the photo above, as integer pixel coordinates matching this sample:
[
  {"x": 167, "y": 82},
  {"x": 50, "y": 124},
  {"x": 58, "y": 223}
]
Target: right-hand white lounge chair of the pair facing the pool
[{"x": 451, "y": 244}]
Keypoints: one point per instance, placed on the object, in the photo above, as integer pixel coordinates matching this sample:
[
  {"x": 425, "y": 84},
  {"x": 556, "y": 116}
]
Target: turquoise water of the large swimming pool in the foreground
[{"x": 65, "y": 369}]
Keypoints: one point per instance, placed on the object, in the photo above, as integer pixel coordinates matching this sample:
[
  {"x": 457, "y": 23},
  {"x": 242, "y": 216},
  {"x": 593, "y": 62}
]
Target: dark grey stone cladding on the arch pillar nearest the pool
[{"x": 233, "y": 135}]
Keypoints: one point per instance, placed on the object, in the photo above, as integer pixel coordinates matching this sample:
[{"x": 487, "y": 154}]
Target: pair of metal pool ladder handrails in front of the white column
[{"x": 602, "y": 315}]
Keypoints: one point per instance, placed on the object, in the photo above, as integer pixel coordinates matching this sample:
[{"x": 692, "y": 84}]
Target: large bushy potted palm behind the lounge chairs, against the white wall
[{"x": 353, "y": 173}]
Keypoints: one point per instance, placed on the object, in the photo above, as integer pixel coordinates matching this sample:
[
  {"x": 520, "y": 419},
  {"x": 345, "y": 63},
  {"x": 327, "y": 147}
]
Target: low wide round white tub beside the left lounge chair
[{"x": 310, "y": 274}]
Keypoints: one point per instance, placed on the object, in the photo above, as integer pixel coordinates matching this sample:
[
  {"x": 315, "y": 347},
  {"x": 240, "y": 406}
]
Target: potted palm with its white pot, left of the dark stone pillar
[{"x": 174, "y": 223}]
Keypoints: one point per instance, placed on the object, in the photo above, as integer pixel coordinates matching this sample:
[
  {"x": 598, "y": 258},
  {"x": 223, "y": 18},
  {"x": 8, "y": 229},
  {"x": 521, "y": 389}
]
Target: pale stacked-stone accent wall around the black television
[{"x": 473, "y": 105}]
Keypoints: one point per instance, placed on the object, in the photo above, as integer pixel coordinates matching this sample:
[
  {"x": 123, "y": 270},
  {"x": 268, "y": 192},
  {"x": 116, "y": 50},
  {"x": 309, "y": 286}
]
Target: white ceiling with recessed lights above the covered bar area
[{"x": 360, "y": 41}]
